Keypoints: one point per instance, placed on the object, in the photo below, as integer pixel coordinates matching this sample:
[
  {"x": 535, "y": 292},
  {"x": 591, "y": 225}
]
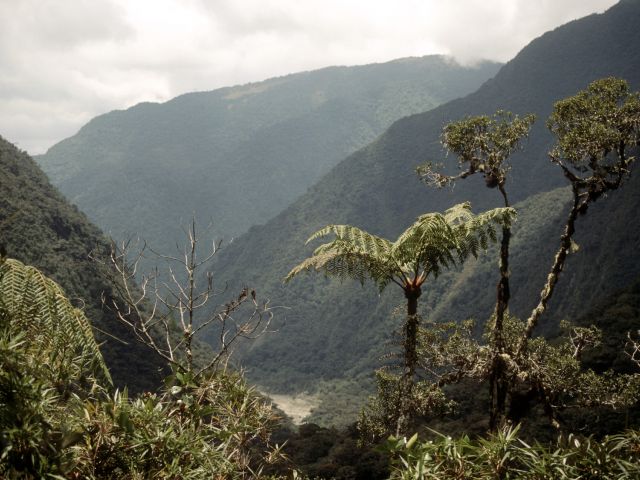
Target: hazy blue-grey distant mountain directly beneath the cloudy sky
[{"x": 239, "y": 155}]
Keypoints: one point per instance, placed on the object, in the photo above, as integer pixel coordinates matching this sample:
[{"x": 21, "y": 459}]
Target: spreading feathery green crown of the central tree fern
[{"x": 434, "y": 241}]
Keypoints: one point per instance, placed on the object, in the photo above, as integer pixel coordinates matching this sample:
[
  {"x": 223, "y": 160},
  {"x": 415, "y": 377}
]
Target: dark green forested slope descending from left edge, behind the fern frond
[{"x": 39, "y": 227}]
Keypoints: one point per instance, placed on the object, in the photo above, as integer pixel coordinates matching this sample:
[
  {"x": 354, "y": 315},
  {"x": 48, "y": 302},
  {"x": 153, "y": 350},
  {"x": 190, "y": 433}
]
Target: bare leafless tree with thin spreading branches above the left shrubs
[{"x": 167, "y": 308}]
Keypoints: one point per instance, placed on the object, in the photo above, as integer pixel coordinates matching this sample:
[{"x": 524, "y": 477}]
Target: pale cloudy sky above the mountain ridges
[{"x": 63, "y": 62}]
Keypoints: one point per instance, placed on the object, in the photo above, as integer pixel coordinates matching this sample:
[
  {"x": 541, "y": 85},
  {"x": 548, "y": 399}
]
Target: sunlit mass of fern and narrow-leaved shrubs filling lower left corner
[{"x": 57, "y": 420}]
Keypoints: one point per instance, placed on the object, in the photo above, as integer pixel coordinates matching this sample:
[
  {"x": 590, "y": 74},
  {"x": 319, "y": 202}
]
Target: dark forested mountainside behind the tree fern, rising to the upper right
[{"x": 334, "y": 332}]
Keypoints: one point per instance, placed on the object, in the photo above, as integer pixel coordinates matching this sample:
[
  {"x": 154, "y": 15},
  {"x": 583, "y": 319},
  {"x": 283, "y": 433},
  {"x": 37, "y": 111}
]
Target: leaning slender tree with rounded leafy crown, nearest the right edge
[{"x": 597, "y": 130}]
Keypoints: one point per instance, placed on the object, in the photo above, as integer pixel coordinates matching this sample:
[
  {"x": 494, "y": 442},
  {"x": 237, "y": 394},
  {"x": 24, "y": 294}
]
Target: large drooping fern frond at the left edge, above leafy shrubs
[{"x": 54, "y": 328}]
